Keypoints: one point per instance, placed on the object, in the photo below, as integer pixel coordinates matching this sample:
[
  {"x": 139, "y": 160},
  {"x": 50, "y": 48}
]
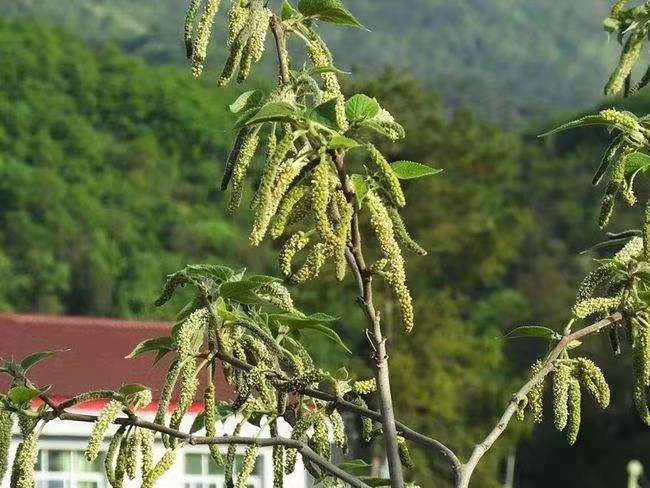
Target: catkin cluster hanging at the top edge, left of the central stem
[{"x": 247, "y": 28}]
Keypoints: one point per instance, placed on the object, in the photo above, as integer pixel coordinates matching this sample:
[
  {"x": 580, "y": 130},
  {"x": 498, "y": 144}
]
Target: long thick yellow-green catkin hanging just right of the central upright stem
[{"x": 395, "y": 274}]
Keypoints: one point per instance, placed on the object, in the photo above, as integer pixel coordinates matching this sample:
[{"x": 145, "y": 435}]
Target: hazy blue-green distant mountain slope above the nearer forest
[{"x": 510, "y": 58}]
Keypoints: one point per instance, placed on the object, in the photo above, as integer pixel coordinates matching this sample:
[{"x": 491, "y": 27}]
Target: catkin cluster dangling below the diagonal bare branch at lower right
[{"x": 570, "y": 376}]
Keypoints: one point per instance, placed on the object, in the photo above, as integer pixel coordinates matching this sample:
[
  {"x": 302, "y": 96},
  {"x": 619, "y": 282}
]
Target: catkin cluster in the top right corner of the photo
[{"x": 631, "y": 27}]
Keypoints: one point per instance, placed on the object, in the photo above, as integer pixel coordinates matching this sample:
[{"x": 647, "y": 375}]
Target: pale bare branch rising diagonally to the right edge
[{"x": 481, "y": 448}]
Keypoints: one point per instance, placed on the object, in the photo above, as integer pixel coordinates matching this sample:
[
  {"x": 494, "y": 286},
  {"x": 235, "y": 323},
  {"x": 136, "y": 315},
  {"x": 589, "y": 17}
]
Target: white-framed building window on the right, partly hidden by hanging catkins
[{"x": 202, "y": 472}]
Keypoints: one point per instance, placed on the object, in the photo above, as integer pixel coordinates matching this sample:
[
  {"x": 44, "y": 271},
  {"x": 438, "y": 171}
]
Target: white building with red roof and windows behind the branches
[{"x": 92, "y": 357}]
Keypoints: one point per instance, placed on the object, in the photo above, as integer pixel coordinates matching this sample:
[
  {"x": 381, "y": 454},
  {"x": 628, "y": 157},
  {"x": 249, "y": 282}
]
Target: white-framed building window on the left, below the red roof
[{"x": 58, "y": 468}]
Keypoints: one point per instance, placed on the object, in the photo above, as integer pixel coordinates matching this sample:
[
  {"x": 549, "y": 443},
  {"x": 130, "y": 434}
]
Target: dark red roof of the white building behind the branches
[{"x": 95, "y": 355}]
